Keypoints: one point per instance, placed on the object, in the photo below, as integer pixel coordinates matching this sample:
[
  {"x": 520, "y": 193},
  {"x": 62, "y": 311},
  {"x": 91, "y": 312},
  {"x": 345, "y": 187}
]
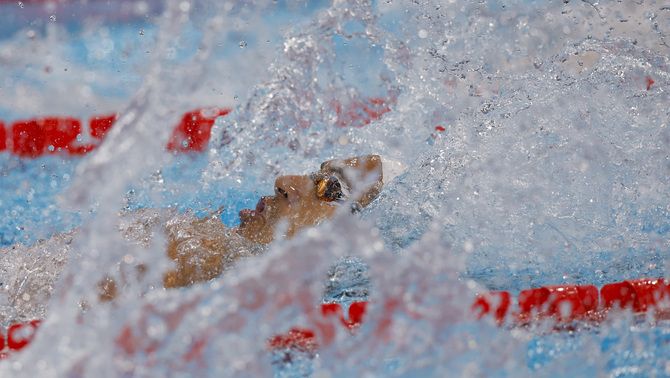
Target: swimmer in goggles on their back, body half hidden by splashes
[{"x": 202, "y": 249}]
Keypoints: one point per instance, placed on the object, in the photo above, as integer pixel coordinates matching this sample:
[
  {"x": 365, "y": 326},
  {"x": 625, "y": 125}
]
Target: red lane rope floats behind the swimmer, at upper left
[{"x": 36, "y": 137}]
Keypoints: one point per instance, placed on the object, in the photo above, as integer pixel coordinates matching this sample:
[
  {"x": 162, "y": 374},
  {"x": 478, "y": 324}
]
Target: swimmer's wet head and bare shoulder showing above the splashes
[{"x": 298, "y": 202}]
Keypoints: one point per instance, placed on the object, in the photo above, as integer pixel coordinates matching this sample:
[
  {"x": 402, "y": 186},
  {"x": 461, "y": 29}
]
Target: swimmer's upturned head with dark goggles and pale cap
[{"x": 304, "y": 201}]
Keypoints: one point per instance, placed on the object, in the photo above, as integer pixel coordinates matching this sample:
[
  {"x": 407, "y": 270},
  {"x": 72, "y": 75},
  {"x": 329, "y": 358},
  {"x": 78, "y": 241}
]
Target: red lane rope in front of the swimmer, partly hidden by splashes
[{"x": 562, "y": 304}]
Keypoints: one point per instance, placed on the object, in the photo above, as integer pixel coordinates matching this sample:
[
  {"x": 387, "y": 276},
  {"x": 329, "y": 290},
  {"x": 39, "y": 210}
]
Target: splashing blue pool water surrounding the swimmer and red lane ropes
[{"x": 535, "y": 143}]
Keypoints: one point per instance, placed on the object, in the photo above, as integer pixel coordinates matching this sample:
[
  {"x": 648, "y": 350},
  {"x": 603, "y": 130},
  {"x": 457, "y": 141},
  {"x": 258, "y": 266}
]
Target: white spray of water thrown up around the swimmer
[{"x": 549, "y": 165}]
